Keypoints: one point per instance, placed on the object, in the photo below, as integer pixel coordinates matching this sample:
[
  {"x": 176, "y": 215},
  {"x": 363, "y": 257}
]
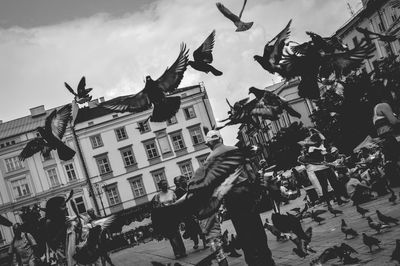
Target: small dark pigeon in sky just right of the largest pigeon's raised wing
[{"x": 203, "y": 56}]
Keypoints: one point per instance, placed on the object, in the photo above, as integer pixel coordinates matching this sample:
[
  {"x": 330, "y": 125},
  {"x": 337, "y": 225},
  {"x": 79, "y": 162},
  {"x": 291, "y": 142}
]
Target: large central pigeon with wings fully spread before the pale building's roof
[{"x": 155, "y": 92}]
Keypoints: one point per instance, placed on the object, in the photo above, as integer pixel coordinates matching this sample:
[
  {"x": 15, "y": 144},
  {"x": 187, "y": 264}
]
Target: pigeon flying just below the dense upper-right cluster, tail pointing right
[{"x": 270, "y": 105}]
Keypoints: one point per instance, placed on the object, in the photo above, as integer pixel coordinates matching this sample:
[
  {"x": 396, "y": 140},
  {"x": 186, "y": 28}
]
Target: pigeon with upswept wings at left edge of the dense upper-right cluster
[{"x": 273, "y": 53}]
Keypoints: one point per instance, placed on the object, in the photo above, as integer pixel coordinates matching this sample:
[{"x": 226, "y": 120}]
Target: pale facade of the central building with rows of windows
[{"x": 121, "y": 176}]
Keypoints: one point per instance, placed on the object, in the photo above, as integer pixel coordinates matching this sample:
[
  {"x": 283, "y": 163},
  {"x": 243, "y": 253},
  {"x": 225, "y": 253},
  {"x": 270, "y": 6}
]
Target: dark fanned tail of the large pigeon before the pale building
[{"x": 164, "y": 111}]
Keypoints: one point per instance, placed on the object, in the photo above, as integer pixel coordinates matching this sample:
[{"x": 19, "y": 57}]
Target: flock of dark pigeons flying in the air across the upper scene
[{"x": 310, "y": 61}]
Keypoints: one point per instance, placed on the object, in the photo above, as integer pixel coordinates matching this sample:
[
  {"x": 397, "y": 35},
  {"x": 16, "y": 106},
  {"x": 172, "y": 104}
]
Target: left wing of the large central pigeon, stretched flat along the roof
[{"x": 129, "y": 103}]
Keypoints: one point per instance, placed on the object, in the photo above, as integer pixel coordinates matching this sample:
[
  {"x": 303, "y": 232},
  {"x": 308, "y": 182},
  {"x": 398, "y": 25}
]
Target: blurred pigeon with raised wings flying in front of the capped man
[{"x": 205, "y": 191}]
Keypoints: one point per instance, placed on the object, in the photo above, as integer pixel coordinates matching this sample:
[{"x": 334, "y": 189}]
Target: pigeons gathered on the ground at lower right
[{"x": 288, "y": 226}]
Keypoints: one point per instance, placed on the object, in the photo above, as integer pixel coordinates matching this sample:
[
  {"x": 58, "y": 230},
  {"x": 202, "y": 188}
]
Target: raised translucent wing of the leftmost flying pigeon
[{"x": 58, "y": 120}]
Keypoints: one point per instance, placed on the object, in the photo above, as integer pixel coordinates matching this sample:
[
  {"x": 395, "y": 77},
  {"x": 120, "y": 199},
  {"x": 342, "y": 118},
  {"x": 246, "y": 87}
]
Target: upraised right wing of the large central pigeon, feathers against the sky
[{"x": 173, "y": 75}]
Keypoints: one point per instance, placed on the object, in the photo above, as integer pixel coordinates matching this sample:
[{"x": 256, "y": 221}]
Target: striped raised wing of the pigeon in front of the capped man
[{"x": 216, "y": 170}]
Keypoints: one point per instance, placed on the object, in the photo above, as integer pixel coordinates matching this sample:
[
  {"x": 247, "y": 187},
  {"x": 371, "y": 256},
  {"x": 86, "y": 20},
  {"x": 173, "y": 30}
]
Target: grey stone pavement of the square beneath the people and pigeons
[{"x": 325, "y": 235}]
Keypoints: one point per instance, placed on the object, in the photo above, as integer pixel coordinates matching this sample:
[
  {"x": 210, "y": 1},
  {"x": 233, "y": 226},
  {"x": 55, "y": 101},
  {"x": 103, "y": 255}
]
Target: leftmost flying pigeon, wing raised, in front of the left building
[{"x": 51, "y": 136}]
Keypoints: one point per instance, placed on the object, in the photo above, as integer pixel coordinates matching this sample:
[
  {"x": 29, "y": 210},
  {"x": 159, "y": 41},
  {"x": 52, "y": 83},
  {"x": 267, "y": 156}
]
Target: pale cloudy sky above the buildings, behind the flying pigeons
[{"x": 116, "y": 43}]
